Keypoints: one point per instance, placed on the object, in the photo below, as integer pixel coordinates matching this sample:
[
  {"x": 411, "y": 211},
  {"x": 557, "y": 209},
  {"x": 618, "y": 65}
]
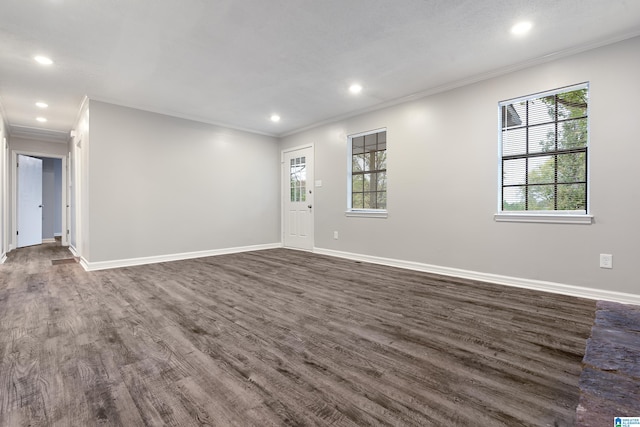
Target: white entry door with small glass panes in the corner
[{"x": 298, "y": 198}]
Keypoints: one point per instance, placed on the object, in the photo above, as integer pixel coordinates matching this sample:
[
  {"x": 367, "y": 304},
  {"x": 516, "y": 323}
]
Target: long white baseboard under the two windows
[{"x": 538, "y": 285}]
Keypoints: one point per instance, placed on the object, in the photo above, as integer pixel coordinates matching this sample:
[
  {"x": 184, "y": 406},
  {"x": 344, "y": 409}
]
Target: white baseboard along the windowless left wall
[{"x": 103, "y": 265}]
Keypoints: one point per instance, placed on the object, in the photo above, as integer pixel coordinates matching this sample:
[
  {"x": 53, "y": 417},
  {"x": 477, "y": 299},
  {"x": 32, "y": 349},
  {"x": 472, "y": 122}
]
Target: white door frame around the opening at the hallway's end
[{"x": 14, "y": 194}]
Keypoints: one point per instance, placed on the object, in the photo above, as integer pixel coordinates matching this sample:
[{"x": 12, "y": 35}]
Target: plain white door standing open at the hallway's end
[{"x": 29, "y": 201}]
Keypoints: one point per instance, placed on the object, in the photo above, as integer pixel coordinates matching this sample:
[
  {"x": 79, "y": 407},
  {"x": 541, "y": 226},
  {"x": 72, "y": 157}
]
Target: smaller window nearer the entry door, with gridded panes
[{"x": 368, "y": 171}]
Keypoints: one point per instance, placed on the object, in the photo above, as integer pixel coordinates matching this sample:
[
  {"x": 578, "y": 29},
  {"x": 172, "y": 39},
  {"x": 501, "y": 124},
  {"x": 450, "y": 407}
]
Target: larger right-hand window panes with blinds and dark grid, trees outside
[{"x": 544, "y": 142}]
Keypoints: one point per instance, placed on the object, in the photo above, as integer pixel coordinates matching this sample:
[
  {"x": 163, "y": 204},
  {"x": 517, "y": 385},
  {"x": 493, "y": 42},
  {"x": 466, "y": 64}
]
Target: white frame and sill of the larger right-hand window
[{"x": 557, "y": 217}]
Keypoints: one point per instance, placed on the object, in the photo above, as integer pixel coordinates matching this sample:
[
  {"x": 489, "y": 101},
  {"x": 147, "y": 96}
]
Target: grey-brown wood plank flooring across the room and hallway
[{"x": 277, "y": 338}]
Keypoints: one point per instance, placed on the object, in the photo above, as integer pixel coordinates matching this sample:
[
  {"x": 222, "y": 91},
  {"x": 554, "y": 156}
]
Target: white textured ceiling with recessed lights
[{"x": 235, "y": 62}]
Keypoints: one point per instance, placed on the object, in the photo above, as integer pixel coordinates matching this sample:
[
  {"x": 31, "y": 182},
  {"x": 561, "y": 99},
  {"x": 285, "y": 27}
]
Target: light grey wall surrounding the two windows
[{"x": 442, "y": 179}]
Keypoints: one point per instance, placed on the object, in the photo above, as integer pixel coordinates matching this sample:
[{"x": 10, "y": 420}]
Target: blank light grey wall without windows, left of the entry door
[{"x": 160, "y": 185}]
